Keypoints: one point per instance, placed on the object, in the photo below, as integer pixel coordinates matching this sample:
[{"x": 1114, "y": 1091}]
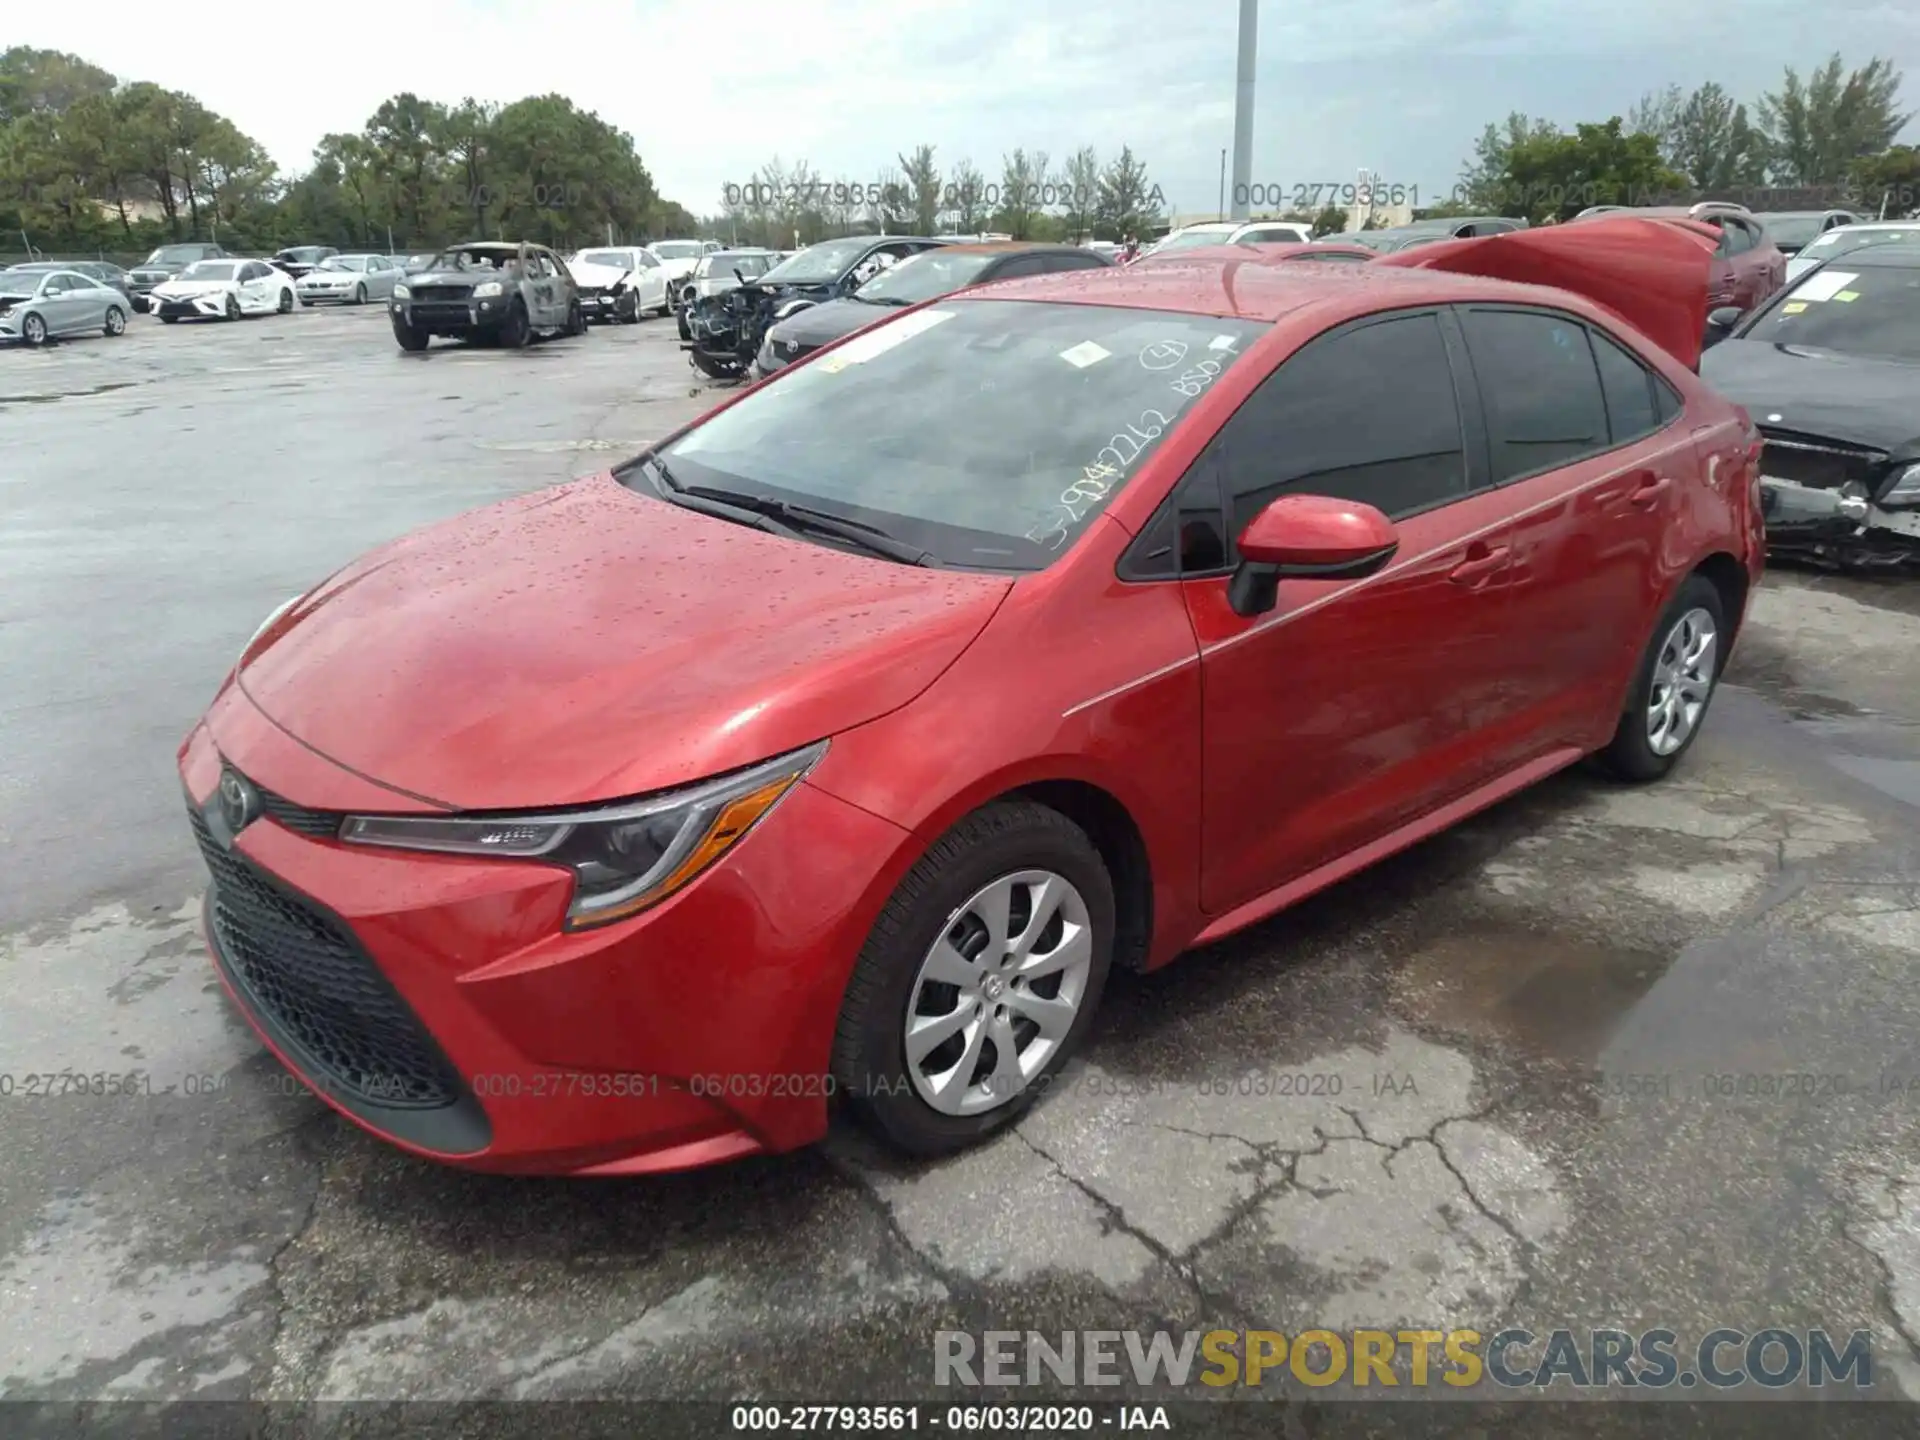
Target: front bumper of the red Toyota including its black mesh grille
[{"x": 692, "y": 1034}]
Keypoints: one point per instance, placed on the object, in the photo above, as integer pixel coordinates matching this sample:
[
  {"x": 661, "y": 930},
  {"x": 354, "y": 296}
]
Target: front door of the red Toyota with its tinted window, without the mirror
[{"x": 1355, "y": 706}]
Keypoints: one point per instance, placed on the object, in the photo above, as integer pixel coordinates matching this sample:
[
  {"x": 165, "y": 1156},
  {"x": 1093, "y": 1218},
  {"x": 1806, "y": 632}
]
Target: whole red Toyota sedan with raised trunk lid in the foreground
[{"x": 844, "y": 742}]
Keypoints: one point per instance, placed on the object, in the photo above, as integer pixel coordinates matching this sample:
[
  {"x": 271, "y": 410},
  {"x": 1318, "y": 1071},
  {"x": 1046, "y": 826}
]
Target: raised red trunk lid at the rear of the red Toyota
[{"x": 1650, "y": 274}]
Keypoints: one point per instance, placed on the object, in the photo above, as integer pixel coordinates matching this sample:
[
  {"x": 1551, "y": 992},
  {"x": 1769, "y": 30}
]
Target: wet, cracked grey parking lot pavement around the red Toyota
[{"x": 1600, "y": 1057}]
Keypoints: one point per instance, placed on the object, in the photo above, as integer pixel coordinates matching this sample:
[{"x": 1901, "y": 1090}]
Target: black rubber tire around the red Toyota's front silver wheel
[{"x": 869, "y": 1044}]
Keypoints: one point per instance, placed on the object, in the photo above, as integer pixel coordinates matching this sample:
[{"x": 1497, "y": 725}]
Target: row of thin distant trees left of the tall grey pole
[{"x": 1028, "y": 199}]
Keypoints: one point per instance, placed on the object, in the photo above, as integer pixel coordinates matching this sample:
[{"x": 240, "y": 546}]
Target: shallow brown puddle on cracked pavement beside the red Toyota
[{"x": 1539, "y": 992}]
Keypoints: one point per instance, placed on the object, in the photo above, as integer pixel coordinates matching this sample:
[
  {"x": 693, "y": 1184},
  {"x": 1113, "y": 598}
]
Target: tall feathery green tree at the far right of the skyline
[{"x": 1821, "y": 126}]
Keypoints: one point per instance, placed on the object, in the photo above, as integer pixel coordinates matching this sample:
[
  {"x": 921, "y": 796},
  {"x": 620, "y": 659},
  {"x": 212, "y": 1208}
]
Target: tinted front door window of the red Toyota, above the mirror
[{"x": 1316, "y": 427}]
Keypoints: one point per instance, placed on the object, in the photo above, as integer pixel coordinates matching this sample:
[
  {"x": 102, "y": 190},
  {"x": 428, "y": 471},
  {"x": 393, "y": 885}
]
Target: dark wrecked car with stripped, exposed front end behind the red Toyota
[{"x": 727, "y": 329}]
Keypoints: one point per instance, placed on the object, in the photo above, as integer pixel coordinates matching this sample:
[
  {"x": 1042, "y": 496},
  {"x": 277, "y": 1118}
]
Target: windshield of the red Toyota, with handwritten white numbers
[{"x": 990, "y": 433}]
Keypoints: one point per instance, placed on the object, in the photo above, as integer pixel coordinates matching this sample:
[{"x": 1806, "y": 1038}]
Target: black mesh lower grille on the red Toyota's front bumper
[{"x": 312, "y": 978}]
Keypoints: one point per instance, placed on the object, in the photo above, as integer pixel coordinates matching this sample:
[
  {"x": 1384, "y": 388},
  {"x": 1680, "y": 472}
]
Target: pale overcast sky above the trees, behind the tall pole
[{"x": 709, "y": 89}]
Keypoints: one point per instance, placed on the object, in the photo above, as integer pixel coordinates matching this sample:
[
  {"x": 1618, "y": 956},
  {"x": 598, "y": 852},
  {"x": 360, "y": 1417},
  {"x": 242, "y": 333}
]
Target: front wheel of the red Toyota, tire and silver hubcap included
[{"x": 978, "y": 982}]
